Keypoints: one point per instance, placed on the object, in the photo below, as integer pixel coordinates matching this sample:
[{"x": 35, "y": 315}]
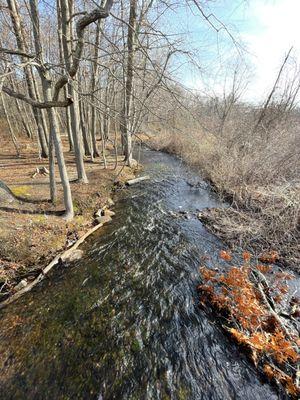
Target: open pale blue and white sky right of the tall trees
[{"x": 264, "y": 30}]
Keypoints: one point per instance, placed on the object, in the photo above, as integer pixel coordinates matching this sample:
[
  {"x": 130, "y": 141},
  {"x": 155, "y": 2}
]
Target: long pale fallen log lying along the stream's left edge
[{"x": 60, "y": 257}]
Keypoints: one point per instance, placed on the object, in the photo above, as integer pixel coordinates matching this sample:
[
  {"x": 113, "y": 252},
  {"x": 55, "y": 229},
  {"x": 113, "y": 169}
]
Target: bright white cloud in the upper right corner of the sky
[{"x": 277, "y": 29}]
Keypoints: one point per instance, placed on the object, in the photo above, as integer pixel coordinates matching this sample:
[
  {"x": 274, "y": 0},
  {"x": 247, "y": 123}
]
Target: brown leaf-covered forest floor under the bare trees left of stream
[{"x": 31, "y": 231}]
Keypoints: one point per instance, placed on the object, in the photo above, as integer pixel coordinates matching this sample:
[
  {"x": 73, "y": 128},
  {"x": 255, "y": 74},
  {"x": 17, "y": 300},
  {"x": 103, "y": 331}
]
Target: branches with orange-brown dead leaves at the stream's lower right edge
[{"x": 249, "y": 303}]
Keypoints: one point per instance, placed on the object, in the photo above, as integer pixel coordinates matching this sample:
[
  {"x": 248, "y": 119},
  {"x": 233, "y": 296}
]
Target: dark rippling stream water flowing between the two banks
[{"x": 124, "y": 322}]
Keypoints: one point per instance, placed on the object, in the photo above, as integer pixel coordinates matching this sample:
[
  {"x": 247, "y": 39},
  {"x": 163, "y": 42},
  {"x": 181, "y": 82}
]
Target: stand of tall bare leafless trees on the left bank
[{"x": 81, "y": 76}]
